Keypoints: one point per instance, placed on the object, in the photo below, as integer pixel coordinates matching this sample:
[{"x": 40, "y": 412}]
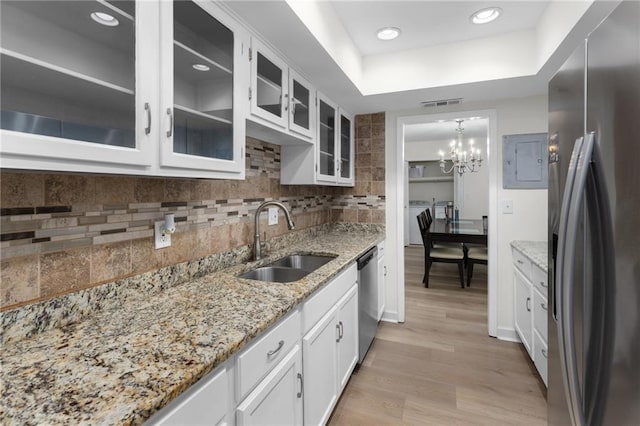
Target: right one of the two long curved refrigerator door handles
[{"x": 568, "y": 282}]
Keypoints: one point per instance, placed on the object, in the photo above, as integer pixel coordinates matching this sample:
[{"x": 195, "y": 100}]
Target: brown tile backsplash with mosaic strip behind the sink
[{"x": 61, "y": 233}]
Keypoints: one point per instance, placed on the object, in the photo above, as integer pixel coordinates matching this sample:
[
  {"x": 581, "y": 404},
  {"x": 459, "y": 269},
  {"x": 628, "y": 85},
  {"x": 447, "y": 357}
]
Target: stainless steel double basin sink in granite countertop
[{"x": 288, "y": 269}]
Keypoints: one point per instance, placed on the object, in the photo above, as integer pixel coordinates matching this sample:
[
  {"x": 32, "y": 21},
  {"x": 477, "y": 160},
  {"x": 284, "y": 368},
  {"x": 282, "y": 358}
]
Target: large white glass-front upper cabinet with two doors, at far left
[{"x": 89, "y": 86}]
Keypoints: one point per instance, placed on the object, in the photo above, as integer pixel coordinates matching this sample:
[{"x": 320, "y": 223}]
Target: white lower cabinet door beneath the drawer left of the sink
[{"x": 277, "y": 400}]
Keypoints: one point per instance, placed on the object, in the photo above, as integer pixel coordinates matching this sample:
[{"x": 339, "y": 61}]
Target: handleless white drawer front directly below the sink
[{"x": 320, "y": 303}]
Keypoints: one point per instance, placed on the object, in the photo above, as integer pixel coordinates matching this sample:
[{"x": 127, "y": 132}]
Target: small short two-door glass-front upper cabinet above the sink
[{"x": 281, "y": 107}]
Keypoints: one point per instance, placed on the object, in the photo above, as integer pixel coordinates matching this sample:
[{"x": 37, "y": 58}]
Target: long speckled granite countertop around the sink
[{"x": 121, "y": 365}]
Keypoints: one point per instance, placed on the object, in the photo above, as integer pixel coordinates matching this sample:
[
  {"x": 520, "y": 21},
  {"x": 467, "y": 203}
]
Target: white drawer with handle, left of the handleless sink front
[{"x": 257, "y": 360}]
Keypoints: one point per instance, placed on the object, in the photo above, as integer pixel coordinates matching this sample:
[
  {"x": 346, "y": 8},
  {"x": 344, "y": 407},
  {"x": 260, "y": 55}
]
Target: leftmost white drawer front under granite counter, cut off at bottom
[{"x": 203, "y": 403}]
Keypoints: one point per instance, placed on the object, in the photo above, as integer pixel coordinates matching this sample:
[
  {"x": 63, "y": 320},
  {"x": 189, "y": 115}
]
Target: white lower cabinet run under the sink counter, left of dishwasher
[{"x": 283, "y": 377}]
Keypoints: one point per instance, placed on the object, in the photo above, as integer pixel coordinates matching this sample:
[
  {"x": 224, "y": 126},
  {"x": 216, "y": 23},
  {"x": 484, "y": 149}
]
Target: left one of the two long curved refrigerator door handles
[{"x": 559, "y": 279}]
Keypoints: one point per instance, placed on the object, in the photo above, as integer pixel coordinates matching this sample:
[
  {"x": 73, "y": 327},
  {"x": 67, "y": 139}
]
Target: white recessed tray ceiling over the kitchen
[{"x": 332, "y": 44}]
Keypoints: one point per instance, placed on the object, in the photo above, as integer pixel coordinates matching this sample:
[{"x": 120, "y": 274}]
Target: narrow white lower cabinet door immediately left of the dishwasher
[{"x": 348, "y": 335}]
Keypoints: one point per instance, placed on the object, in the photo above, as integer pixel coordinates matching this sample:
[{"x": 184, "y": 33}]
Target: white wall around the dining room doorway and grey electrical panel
[{"x": 529, "y": 218}]
